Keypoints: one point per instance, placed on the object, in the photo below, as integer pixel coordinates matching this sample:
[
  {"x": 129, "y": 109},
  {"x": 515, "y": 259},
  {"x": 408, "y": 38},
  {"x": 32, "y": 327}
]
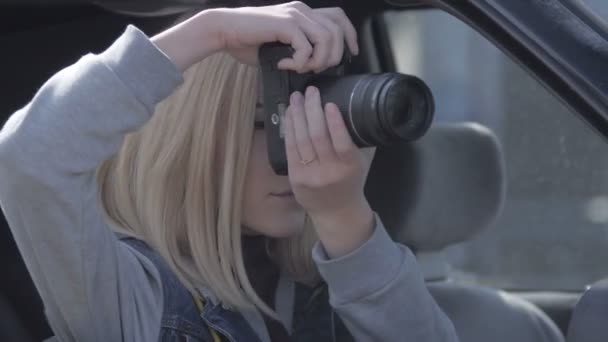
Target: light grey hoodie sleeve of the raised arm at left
[{"x": 93, "y": 287}]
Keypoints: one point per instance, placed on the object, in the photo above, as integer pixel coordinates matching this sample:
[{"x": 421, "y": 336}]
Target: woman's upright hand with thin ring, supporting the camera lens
[{"x": 327, "y": 172}]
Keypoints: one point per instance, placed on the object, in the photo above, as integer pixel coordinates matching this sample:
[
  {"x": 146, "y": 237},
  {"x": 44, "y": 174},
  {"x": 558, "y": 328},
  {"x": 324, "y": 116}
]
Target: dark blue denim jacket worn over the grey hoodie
[{"x": 313, "y": 320}]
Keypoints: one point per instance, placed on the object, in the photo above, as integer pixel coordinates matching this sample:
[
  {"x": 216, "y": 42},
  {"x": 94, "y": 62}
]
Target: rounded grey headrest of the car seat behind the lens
[{"x": 441, "y": 189}]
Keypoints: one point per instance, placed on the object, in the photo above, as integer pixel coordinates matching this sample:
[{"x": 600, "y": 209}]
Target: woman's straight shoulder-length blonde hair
[{"x": 177, "y": 183}]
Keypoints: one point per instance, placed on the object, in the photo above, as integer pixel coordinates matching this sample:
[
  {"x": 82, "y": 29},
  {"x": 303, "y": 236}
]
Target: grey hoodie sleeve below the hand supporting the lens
[{"x": 379, "y": 292}]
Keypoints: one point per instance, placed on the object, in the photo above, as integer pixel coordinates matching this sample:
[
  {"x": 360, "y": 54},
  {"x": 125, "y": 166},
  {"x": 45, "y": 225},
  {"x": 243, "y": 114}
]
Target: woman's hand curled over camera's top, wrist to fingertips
[{"x": 317, "y": 35}]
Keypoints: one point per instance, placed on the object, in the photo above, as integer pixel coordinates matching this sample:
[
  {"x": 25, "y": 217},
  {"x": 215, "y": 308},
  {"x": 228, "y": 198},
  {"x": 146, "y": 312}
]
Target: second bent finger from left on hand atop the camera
[{"x": 321, "y": 40}]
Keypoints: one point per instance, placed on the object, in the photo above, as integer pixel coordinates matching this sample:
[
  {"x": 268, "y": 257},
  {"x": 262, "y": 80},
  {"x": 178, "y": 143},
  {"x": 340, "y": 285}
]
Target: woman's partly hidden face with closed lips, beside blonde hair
[{"x": 269, "y": 206}]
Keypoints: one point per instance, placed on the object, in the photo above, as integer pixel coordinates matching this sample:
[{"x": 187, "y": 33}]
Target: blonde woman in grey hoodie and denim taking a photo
[{"x": 137, "y": 186}]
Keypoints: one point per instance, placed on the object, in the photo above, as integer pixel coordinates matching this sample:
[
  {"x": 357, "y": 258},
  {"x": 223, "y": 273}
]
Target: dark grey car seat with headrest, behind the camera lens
[{"x": 442, "y": 190}]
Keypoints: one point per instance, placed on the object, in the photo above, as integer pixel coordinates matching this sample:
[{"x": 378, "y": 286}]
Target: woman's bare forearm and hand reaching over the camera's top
[{"x": 316, "y": 35}]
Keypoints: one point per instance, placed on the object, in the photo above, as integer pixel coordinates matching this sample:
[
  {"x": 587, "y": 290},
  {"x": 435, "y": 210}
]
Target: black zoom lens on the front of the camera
[{"x": 380, "y": 109}]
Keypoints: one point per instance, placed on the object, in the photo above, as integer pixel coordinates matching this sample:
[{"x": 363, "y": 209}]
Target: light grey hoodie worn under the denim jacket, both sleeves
[{"x": 97, "y": 289}]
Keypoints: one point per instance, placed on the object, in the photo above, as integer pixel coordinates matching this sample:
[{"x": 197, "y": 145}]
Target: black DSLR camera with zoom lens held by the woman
[{"x": 378, "y": 109}]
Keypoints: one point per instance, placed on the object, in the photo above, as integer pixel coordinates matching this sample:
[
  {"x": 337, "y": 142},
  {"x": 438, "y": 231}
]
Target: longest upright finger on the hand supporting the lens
[{"x": 317, "y": 126}]
